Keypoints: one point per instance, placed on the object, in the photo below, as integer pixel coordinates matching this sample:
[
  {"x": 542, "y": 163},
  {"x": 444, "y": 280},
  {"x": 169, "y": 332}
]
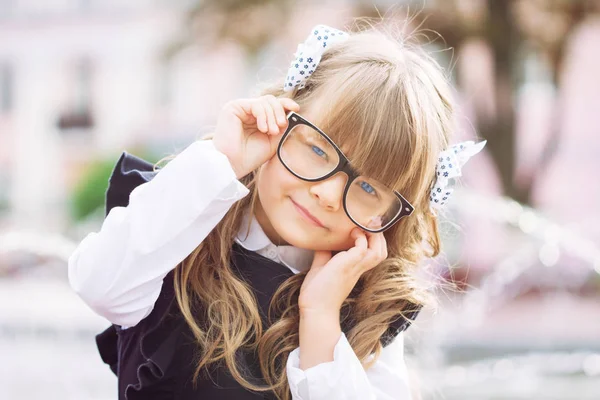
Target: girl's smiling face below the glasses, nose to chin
[{"x": 283, "y": 199}]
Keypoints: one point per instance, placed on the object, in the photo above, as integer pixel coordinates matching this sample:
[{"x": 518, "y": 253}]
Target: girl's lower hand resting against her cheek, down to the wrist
[{"x": 331, "y": 279}]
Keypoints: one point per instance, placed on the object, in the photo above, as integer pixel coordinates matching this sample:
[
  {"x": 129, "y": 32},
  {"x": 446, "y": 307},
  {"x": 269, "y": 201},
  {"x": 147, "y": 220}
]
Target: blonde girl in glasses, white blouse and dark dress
[{"x": 278, "y": 259}]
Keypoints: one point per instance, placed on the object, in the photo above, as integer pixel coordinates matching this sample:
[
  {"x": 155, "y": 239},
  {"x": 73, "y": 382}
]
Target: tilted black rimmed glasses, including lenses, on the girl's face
[{"x": 309, "y": 154}]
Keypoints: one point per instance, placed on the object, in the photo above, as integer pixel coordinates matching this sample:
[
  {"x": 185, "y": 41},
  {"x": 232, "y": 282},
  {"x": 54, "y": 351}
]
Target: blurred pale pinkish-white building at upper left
[{"x": 82, "y": 78}]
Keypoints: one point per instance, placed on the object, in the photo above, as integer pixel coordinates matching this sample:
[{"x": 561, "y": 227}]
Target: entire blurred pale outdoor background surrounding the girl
[{"x": 83, "y": 80}]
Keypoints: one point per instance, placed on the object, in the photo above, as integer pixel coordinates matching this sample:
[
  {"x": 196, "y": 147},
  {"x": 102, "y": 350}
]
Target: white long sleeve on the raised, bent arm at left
[{"x": 119, "y": 270}]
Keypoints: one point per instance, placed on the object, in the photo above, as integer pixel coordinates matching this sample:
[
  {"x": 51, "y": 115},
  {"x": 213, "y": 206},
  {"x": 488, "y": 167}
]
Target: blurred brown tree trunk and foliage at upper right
[{"x": 508, "y": 28}]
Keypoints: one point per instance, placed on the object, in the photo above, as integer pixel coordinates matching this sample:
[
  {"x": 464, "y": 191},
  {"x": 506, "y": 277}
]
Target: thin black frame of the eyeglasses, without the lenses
[{"x": 345, "y": 166}]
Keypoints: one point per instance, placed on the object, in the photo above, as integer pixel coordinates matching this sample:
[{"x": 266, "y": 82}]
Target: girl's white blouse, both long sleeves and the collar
[{"x": 119, "y": 270}]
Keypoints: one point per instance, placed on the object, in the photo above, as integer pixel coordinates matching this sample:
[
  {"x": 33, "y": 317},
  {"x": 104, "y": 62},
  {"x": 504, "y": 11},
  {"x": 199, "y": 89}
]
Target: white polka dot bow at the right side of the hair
[{"x": 448, "y": 167}]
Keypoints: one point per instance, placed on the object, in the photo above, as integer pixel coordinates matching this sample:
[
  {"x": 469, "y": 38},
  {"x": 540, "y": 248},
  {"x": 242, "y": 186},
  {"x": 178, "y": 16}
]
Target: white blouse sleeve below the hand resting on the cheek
[{"x": 345, "y": 378}]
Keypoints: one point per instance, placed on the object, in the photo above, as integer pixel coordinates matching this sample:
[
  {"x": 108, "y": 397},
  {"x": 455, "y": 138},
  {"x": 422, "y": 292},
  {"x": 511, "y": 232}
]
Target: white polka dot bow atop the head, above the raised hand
[{"x": 308, "y": 55}]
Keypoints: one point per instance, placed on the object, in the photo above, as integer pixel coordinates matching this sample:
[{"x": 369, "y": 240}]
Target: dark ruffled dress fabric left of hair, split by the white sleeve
[{"x": 142, "y": 355}]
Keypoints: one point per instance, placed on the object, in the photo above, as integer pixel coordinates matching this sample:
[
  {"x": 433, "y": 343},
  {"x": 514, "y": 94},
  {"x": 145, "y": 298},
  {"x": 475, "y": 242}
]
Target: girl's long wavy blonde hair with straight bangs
[{"x": 385, "y": 100}]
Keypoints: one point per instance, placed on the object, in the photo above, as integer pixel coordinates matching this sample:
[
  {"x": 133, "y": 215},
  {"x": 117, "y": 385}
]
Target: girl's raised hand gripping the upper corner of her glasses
[{"x": 248, "y": 130}]
